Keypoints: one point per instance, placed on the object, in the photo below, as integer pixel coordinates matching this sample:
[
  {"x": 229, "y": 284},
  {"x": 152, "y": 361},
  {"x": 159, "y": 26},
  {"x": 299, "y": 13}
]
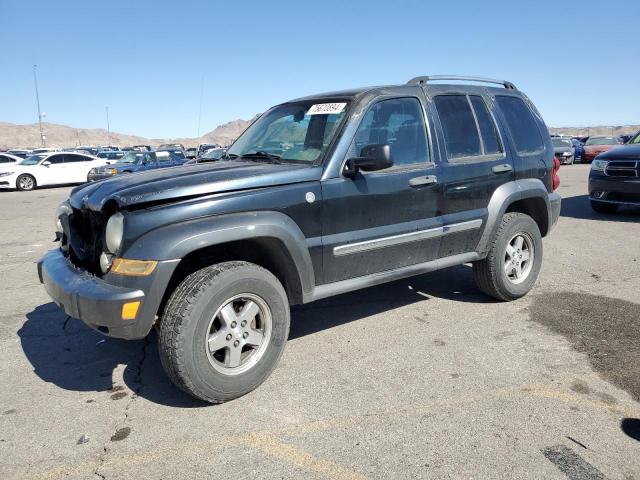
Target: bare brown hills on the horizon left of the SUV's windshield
[{"x": 28, "y": 136}]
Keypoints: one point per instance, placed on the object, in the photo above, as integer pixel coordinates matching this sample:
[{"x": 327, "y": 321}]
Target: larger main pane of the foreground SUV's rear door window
[{"x": 459, "y": 126}]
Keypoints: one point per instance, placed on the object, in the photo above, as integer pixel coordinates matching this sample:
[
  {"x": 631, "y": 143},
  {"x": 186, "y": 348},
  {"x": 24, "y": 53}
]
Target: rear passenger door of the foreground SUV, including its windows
[{"x": 474, "y": 164}]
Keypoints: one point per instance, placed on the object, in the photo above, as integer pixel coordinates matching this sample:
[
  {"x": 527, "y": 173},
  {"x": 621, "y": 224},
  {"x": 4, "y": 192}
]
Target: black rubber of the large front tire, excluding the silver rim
[{"x": 186, "y": 322}]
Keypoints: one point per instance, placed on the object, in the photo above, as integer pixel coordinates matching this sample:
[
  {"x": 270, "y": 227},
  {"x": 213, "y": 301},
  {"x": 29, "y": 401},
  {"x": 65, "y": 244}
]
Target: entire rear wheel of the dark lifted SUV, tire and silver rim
[{"x": 514, "y": 260}]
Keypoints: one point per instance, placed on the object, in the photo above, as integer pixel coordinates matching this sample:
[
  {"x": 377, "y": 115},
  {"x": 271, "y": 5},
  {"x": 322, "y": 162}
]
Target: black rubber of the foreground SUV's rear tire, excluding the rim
[{"x": 490, "y": 274}]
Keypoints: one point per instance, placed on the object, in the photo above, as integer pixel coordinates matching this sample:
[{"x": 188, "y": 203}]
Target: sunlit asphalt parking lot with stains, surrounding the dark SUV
[{"x": 424, "y": 377}]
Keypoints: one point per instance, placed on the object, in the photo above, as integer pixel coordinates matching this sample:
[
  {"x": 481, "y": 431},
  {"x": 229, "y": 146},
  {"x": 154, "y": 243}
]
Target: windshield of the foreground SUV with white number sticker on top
[{"x": 294, "y": 132}]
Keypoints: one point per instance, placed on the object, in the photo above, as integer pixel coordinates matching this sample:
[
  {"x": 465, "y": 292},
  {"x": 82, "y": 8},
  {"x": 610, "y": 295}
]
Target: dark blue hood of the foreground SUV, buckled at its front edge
[{"x": 169, "y": 184}]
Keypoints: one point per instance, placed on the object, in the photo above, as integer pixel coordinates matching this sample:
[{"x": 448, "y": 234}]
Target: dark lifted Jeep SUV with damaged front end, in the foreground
[{"x": 319, "y": 196}]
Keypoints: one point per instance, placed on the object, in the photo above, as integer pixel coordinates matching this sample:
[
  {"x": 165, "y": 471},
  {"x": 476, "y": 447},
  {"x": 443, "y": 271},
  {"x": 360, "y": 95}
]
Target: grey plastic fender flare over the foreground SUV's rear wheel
[{"x": 505, "y": 195}]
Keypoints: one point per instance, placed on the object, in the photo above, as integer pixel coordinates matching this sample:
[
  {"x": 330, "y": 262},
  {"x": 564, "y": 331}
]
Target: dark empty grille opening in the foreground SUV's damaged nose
[{"x": 85, "y": 239}]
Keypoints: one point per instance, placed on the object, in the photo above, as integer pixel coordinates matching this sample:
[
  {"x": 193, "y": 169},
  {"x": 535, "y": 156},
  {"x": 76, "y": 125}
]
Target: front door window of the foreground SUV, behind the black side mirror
[{"x": 400, "y": 124}]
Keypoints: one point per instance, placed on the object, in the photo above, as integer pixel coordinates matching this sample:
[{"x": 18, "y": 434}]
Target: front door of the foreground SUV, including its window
[{"x": 386, "y": 219}]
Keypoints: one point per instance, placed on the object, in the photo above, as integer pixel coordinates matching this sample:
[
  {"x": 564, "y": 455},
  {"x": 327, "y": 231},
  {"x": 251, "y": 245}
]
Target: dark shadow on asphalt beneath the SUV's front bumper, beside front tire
[{"x": 74, "y": 357}]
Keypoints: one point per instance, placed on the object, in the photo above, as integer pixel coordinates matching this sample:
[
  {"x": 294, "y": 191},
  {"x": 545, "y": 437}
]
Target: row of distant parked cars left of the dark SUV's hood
[{"x": 25, "y": 170}]
